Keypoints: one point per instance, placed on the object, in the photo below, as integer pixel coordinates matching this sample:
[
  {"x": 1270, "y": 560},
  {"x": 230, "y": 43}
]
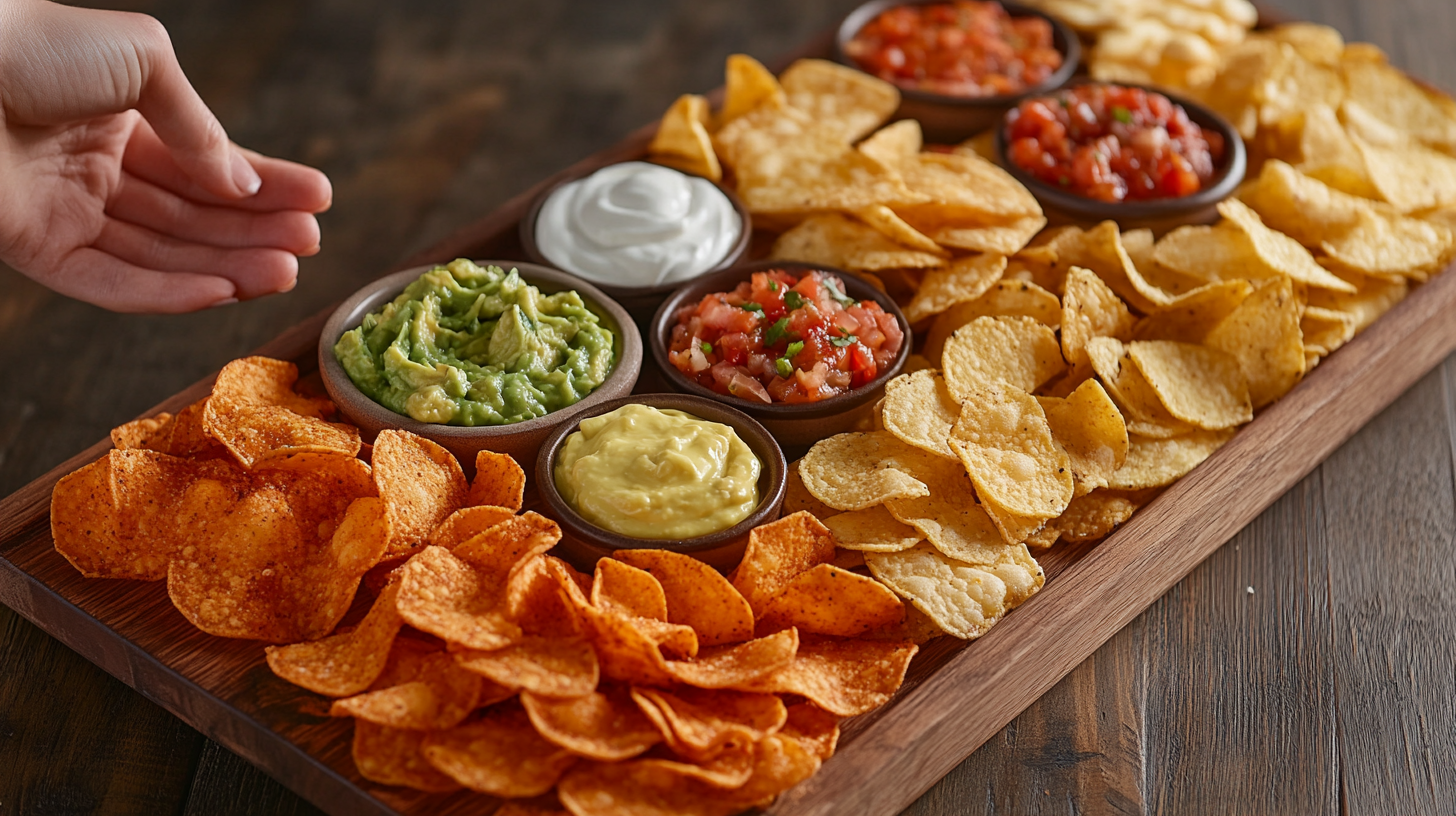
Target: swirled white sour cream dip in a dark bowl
[{"x": 637, "y": 225}]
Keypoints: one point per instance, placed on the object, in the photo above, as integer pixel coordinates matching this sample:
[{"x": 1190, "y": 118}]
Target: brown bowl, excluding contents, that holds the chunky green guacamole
[{"x": 518, "y": 439}]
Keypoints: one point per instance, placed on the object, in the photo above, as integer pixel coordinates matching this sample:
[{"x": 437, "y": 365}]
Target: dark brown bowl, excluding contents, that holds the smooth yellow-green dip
[{"x": 585, "y": 543}]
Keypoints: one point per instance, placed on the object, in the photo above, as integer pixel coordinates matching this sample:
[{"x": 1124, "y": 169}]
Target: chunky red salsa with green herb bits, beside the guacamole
[{"x": 778, "y": 339}]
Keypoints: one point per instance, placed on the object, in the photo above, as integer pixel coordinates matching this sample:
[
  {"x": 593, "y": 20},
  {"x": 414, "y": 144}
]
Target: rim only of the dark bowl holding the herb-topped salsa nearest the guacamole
[{"x": 662, "y": 329}]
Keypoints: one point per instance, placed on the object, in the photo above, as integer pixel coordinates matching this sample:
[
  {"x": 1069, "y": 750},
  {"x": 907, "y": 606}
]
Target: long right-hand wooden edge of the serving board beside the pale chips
[{"x": 1101, "y": 594}]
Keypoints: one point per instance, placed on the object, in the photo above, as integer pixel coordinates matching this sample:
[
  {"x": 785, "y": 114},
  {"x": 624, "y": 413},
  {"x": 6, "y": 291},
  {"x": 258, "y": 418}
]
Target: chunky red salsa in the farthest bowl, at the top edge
[{"x": 960, "y": 49}]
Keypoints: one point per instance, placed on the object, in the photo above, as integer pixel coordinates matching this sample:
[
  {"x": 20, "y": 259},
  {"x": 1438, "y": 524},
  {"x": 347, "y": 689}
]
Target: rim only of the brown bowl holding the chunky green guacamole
[{"x": 371, "y": 298}]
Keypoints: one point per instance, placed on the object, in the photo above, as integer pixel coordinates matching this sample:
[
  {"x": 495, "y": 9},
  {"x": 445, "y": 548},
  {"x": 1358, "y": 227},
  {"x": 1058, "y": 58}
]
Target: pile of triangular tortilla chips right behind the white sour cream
[{"x": 883, "y": 208}]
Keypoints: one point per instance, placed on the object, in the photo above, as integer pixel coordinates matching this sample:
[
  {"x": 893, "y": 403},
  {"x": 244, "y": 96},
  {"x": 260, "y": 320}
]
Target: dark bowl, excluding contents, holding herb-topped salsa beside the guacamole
[{"x": 794, "y": 425}]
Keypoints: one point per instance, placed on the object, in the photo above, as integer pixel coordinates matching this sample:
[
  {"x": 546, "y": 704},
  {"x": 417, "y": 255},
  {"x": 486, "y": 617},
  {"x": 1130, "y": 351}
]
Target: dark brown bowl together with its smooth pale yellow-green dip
[{"x": 711, "y": 457}]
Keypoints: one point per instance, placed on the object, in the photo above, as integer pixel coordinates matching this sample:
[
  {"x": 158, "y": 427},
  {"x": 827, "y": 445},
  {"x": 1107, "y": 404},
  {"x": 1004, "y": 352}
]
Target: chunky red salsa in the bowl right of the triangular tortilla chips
[{"x": 1113, "y": 144}]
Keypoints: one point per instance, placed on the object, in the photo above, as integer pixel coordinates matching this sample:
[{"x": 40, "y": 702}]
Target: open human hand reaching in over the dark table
[{"x": 117, "y": 184}]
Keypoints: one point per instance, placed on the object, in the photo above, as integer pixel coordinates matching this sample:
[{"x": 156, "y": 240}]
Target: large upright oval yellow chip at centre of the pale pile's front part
[{"x": 1005, "y": 444}]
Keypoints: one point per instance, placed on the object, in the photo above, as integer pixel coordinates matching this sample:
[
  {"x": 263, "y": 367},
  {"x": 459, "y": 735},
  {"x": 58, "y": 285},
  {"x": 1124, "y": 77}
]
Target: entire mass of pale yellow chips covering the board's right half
[{"x": 1065, "y": 382}]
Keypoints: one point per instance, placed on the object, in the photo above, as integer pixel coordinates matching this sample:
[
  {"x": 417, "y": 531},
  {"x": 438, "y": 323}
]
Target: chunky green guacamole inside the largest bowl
[{"x": 477, "y": 346}]
